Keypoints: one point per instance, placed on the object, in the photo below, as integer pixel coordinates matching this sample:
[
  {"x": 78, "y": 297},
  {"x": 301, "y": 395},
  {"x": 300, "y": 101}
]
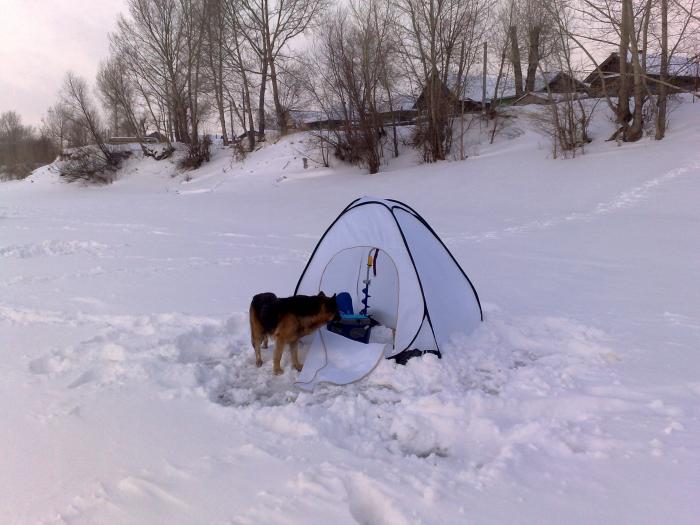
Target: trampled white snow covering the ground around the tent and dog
[{"x": 129, "y": 391}]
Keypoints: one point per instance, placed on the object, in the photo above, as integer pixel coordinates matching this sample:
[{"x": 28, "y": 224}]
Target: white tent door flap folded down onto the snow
[{"x": 335, "y": 359}]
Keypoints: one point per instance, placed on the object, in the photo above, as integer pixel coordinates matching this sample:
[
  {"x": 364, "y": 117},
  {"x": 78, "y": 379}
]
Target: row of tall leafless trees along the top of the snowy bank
[{"x": 252, "y": 65}]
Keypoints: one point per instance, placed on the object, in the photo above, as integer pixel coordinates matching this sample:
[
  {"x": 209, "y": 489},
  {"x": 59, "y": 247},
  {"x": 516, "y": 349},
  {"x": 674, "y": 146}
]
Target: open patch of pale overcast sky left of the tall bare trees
[{"x": 42, "y": 39}]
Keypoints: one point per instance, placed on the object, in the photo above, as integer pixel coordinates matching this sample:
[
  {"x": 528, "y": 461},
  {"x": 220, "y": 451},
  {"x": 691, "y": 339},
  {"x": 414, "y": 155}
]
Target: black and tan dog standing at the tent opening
[{"x": 287, "y": 320}]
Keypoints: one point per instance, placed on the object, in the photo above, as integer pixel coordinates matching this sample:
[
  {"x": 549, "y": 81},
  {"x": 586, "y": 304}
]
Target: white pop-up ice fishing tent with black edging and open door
[{"x": 419, "y": 290}]
